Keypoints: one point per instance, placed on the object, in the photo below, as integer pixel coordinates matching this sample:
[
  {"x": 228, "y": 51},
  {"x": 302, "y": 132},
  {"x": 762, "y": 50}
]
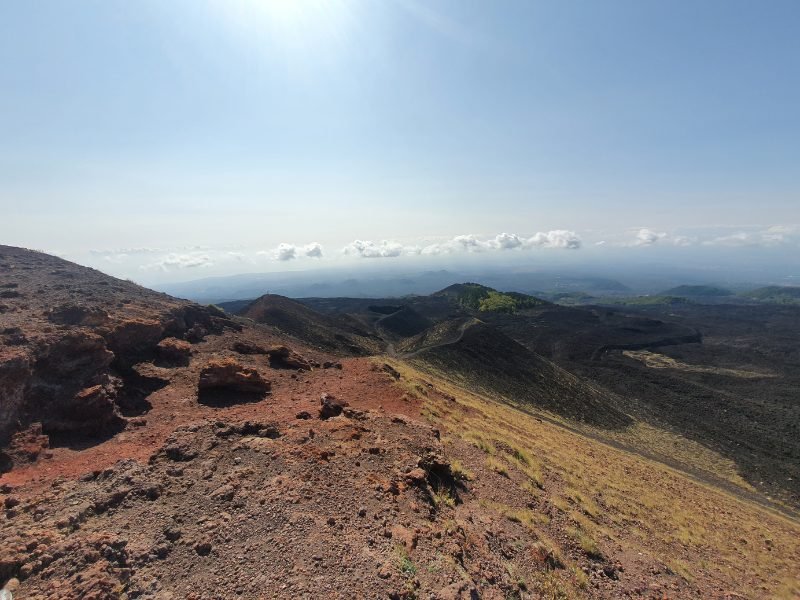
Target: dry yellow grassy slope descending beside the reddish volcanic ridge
[{"x": 590, "y": 497}]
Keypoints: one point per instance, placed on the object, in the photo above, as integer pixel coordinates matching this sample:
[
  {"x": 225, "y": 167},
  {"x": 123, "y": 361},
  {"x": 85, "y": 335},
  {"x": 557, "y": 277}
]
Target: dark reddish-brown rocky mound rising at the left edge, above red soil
[{"x": 71, "y": 337}]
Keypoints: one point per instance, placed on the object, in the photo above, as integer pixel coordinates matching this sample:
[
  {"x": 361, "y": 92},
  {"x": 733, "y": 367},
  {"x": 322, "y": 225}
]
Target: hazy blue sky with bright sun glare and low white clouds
[{"x": 167, "y": 141}]
